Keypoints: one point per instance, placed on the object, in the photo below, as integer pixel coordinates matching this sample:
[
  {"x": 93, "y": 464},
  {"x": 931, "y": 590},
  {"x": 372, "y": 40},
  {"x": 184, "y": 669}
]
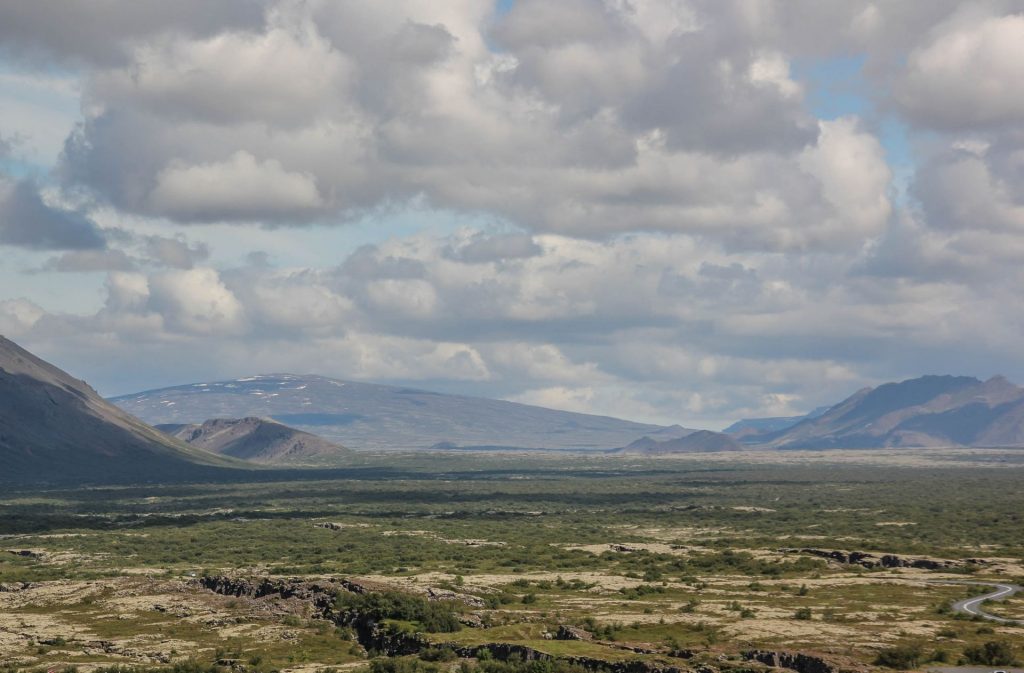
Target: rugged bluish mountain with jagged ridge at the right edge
[{"x": 931, "y": 411}]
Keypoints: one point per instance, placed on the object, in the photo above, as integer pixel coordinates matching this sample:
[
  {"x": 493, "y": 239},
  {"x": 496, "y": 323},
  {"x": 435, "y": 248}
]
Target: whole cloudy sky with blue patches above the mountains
[{"x": 676, "y": 212}]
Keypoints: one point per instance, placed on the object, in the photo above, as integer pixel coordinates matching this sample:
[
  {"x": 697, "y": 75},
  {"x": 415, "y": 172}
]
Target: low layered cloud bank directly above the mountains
[{"x": 659, "y": 328}]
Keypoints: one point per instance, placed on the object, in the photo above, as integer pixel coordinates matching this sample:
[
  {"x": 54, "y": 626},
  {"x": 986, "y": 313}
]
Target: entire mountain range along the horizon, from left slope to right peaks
[{"x": 56, "y": 429}]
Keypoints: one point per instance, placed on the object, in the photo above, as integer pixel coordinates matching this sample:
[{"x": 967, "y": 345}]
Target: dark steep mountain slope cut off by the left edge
[{"x": 56, "y": 429}]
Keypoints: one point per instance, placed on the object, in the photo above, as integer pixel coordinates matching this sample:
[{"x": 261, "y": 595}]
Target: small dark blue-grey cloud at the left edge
[{"x": 28, "y": 222}]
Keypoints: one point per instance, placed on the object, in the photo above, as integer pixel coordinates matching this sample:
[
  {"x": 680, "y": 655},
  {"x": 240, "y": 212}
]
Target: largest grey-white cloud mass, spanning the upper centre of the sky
[{"x": 614, "y": 118}]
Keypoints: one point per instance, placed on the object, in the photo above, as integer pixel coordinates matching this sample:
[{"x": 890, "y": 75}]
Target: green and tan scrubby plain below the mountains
[{"x": 650, "y": 557}]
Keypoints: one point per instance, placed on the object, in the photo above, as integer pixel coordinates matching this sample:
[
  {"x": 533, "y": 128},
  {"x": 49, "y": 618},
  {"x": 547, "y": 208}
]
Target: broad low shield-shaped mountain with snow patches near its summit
[{"x": 368, "y": 416}]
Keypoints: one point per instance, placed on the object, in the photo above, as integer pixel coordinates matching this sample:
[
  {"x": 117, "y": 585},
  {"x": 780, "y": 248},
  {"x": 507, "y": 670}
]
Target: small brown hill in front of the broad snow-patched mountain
[{"x": 257, "y": 440}]
